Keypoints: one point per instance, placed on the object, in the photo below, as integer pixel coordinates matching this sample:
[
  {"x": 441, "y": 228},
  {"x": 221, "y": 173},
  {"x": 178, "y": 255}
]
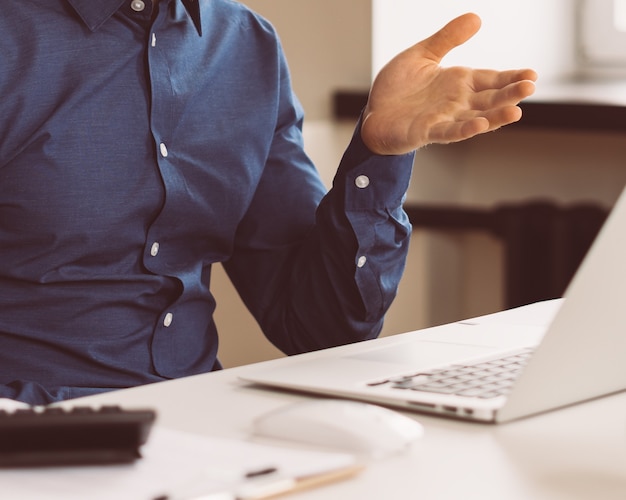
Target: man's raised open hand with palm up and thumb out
[{"x": 414, "y": 101}]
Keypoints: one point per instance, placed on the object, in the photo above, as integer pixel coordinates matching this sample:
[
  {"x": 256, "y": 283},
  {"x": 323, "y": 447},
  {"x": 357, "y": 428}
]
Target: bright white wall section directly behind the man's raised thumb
[{"x": 532, "y": 33}]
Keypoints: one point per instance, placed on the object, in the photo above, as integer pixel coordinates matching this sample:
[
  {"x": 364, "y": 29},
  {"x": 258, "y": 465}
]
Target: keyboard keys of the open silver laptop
[{"x": 485, "y": 379}]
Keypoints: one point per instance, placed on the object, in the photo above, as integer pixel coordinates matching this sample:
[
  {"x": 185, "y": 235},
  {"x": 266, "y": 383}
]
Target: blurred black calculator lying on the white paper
[{"x": 82, "y": 435}]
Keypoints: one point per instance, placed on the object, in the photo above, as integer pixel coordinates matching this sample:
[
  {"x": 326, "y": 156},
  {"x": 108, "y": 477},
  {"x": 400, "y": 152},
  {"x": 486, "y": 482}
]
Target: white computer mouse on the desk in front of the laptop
[{"x": 349, "y": 426}]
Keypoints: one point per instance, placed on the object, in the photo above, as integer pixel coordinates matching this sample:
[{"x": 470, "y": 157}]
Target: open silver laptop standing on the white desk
[{"x": 579, "y": 355}]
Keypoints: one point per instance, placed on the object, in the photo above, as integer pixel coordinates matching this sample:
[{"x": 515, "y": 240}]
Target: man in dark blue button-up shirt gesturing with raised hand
[{"x": 141, "y": 142}]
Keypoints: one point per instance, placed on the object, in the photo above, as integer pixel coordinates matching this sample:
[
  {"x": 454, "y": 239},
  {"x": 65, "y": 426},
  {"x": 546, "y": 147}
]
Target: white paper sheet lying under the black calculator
[{"x": 174, "y": 464}]
